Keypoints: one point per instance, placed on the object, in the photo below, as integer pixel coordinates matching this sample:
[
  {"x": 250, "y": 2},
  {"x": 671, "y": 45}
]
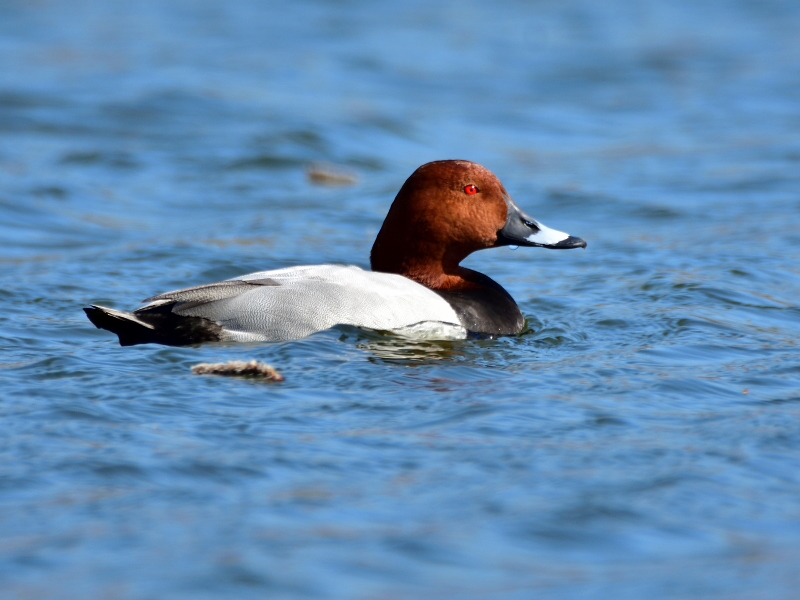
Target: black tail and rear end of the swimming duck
[{"x": 154, "y": 327}]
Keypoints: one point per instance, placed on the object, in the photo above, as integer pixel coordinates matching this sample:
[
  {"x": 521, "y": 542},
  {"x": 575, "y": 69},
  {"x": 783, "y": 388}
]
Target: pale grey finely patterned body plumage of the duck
[{"x": 291, "y": 303}]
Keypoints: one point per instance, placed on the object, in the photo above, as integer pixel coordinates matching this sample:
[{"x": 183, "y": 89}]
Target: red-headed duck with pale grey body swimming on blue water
[{"x": 445, "y": 211}]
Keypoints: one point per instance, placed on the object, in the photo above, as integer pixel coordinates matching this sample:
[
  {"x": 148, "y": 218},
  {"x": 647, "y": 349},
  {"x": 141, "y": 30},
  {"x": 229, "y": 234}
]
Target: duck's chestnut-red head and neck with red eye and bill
[{"x": 447, "y": 210}]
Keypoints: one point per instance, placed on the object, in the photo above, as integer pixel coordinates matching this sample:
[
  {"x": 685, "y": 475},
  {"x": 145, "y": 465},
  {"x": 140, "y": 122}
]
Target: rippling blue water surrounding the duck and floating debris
[{"x": 641, "y": 439}]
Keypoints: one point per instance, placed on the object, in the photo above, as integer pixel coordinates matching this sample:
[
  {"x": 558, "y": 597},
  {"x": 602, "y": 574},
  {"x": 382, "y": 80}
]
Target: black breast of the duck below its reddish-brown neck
[{"x": 488, "y": 310}]
